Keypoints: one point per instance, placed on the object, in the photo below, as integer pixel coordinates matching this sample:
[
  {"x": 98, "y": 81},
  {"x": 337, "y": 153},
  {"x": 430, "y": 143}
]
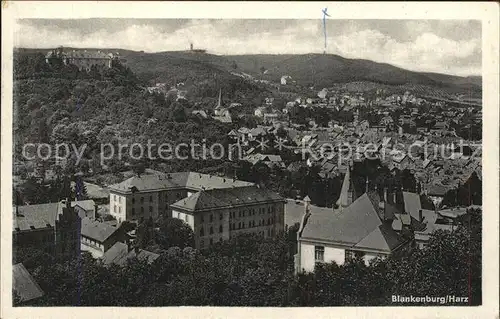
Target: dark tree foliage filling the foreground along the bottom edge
[{"x": 252, "y": 271}]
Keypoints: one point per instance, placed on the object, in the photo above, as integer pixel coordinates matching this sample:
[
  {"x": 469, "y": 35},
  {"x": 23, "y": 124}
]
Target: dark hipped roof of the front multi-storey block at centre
[{"x": 218, "y": 198}]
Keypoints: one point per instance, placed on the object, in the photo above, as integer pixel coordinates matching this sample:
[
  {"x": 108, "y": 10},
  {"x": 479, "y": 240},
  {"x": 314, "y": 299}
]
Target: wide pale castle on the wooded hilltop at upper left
[{"x": 83, "y": 59}]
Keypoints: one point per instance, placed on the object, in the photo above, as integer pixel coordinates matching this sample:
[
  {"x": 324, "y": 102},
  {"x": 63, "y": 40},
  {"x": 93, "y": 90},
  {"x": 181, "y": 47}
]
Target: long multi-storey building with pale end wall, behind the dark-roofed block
[{"x": 152, "y": 193}]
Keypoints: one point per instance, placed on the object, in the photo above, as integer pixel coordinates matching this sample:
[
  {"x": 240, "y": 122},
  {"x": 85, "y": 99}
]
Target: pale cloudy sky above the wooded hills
[{"x": 443, "y": 46}]
